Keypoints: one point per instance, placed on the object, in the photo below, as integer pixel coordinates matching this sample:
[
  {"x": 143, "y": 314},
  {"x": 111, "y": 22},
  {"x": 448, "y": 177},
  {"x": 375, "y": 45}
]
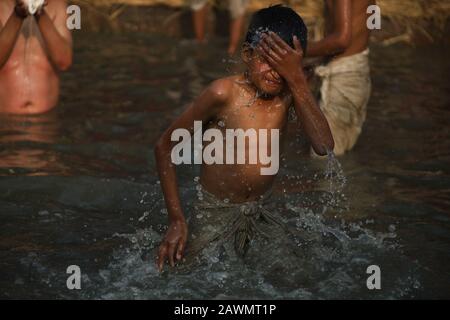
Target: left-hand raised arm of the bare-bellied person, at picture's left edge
[{"x": 10, "y": 32}]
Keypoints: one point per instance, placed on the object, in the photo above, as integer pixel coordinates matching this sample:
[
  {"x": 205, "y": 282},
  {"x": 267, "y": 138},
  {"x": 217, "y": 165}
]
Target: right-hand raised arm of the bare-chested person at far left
[{"x": 56, "y": 35}]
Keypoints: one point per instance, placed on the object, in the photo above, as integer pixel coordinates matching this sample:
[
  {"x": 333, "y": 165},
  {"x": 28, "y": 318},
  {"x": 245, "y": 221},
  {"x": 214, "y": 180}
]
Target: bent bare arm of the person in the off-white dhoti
[{"x": 340, "y": 38}]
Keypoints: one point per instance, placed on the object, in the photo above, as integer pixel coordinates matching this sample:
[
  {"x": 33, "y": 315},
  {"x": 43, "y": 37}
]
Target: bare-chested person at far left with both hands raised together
[{"x": 35, "y": 45}]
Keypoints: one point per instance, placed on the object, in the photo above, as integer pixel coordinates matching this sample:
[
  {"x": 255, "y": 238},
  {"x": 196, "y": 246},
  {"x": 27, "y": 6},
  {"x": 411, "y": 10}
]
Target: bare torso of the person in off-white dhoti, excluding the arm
[{"x": 360, "y": 32}]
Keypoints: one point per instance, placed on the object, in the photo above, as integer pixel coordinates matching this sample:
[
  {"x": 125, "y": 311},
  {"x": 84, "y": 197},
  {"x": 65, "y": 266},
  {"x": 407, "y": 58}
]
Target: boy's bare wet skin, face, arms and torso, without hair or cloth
[{"x": 276, "y": 78}]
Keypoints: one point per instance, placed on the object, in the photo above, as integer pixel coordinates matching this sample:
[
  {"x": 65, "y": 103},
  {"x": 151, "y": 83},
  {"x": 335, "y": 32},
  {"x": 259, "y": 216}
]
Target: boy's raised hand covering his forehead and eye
[{"x": 281, "y": 57}]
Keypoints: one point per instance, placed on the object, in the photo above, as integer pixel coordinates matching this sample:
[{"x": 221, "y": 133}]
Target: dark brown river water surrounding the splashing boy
[{"x": 78, "y": 186}]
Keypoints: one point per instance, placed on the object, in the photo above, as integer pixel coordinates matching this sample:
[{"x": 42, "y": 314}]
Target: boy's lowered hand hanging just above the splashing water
[{"x": 173, "y": 244}]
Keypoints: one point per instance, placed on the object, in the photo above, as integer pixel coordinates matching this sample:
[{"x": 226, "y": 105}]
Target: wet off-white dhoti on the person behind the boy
[{"x": 345, "y": 92}]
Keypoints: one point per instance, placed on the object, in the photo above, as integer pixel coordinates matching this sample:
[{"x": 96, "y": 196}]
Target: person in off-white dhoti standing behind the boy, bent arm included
[{"x": 346, "y": 84}]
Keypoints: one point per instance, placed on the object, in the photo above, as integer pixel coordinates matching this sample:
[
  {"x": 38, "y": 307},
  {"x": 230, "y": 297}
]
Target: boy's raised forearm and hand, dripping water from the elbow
[{"x": 288, "y": 63}]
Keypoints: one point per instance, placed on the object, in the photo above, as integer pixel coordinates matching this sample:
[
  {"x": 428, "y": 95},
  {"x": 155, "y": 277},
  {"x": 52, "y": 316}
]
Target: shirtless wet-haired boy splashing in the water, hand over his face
[{"x": 233, "y": 179}]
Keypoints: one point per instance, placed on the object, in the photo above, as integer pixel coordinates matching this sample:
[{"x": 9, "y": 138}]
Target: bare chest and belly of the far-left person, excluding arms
[{"x": 28, "y": 81}]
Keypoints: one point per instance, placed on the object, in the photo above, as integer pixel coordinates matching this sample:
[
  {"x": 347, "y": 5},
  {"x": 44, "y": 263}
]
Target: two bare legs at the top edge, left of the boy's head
[{"x": 237, "y": 11}]
